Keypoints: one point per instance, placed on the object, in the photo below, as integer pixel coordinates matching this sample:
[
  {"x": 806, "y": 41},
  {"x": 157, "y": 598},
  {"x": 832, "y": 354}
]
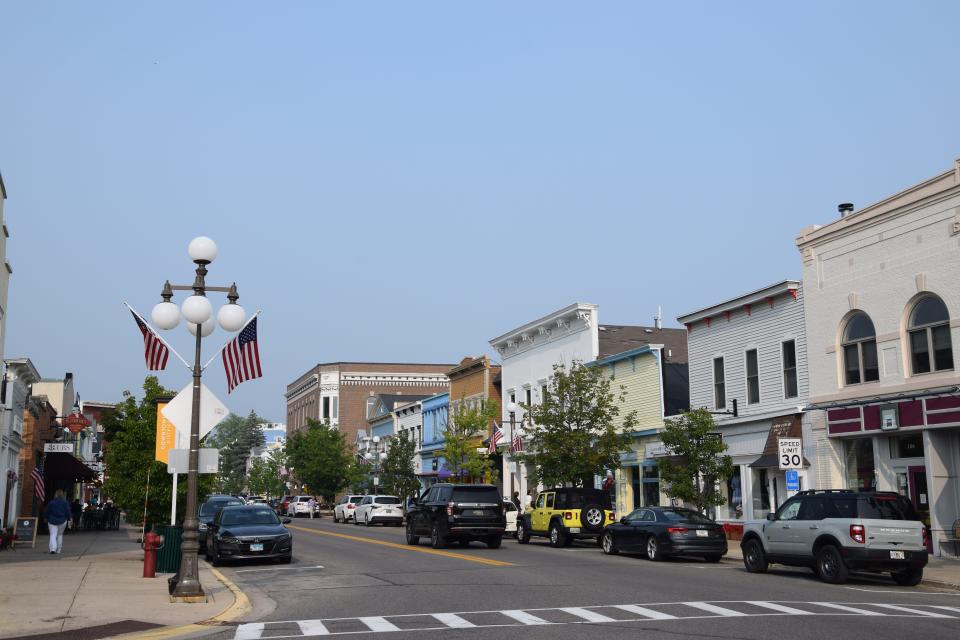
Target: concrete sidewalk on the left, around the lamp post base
[{"x": 95, "y": 584}]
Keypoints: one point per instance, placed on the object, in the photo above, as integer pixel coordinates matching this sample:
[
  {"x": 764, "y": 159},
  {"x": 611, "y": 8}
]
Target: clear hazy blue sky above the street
[{"x": 403, "y": 181}]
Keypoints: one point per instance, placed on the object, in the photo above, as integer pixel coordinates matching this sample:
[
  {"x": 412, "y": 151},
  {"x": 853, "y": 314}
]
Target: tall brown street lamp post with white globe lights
[{"x": 198, "y": 312}]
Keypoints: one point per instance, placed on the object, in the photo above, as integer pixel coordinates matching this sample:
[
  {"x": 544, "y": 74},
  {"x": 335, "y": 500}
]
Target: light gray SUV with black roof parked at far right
[{"x": 836, "y": 531}]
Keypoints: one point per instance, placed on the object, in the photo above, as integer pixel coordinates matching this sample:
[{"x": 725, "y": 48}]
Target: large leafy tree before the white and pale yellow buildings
[{"x": 574, "y": 435}]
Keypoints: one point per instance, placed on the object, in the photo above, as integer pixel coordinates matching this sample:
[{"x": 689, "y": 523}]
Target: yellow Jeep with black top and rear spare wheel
[{"x": 566, "y": 514}]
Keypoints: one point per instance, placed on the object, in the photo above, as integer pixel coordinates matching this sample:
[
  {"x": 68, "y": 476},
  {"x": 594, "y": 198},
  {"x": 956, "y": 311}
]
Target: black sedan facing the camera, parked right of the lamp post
[{"x": 247, "y": 532}]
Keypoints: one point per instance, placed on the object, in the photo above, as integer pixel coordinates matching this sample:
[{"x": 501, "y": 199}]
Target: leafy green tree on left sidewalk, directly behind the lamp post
[{"x": 130, "y": 431}]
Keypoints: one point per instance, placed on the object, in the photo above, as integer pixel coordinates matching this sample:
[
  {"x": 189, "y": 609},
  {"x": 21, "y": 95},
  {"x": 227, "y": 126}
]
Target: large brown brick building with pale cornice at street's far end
[{"x": 345, "y": 393}]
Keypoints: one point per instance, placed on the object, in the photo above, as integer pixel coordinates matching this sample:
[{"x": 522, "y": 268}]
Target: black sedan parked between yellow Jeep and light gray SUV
[{"x": 666, "y": 531}]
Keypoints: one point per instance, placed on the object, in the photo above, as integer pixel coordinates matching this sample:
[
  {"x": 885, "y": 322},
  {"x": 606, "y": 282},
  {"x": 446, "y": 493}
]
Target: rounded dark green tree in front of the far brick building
[{"x": 319, "y": 458}]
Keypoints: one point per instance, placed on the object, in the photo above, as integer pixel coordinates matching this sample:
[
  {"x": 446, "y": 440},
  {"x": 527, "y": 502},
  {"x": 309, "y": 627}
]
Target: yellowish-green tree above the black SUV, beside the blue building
[{"x": 463, "y": 435}]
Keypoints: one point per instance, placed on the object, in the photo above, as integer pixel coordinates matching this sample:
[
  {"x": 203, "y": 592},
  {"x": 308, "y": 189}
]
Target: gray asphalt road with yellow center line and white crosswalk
[{"x": 364, "y": 582}]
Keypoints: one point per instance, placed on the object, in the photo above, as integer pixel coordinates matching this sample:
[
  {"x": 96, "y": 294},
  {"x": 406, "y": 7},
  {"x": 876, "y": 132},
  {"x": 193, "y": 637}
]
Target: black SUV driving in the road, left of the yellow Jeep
[{"x": 461, "y": 512}]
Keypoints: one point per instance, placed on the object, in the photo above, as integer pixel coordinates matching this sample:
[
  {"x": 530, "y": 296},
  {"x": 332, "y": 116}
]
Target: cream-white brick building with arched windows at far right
[{"x": 883, "y": 321}]
